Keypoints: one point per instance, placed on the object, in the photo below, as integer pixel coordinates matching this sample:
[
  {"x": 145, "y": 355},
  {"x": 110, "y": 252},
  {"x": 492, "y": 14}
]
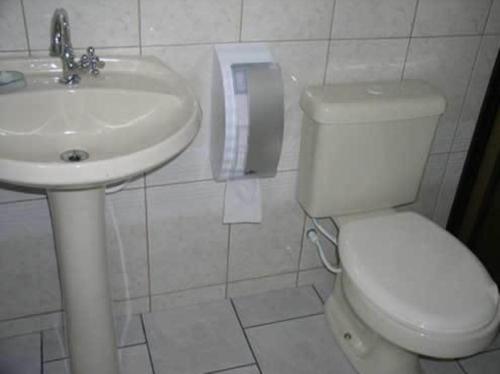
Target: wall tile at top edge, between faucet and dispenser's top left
[{"x": 189, "y": 21}]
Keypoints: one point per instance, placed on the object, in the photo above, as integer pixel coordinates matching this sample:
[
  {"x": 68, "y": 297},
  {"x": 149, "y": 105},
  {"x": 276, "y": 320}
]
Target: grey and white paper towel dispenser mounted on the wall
[{"x": 247, "y": 113}]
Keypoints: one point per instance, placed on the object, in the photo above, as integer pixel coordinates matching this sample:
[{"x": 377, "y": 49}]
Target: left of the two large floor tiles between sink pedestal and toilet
[{"x": 196, "y": 339}]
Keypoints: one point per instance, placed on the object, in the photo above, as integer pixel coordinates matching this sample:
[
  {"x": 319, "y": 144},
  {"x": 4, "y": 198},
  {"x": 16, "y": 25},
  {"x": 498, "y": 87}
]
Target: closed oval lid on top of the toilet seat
[{"x": 417, "y": 273}]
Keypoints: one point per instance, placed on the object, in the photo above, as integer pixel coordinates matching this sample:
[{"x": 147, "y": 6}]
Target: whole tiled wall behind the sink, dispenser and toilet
[{"x": 167, "y": 244}]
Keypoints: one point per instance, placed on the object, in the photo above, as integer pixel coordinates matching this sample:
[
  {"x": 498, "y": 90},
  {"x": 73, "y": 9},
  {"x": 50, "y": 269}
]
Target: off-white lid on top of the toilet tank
[{"x": 372, "y": 101}]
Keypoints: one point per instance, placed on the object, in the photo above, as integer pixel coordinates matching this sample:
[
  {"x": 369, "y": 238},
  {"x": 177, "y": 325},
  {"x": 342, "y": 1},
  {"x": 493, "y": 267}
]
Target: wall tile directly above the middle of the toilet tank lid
[{"x": 366, "y": 60}]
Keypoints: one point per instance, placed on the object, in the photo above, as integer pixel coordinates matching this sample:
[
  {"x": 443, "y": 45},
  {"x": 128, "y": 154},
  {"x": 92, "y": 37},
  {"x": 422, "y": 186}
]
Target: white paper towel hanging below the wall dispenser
[{"x": 243, "y": 201}]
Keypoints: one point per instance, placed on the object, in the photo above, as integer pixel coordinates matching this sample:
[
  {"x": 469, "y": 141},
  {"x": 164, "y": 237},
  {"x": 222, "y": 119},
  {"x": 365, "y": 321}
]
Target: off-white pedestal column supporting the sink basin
[{"x": 79, "y": 229}]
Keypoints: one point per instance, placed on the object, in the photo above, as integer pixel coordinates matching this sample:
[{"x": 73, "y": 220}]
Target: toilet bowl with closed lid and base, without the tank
[{"x": 408, "y": 288}]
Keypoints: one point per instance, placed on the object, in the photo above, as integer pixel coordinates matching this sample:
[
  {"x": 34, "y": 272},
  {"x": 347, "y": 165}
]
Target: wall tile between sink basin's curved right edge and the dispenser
[{"x": 195, "y": 64}]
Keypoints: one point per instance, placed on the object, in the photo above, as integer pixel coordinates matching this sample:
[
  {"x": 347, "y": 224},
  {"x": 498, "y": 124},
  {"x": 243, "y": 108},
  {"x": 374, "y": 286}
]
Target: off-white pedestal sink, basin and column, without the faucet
[{"x": 73, "y": 141}]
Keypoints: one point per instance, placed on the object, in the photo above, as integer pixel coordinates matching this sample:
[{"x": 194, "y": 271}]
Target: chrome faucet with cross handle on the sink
[{"x": 60, "y": 46}]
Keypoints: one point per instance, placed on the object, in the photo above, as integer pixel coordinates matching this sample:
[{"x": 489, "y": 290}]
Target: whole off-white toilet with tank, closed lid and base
[{"x": 407, "y": 287}]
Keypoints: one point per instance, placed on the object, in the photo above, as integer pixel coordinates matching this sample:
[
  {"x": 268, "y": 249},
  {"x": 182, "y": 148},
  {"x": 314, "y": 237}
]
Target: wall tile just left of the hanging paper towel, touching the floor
[{"x": 188, "y": 242}]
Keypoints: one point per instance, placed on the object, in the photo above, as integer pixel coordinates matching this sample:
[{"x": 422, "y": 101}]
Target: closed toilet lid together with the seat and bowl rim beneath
[{"x": 412, "y": 281}]
